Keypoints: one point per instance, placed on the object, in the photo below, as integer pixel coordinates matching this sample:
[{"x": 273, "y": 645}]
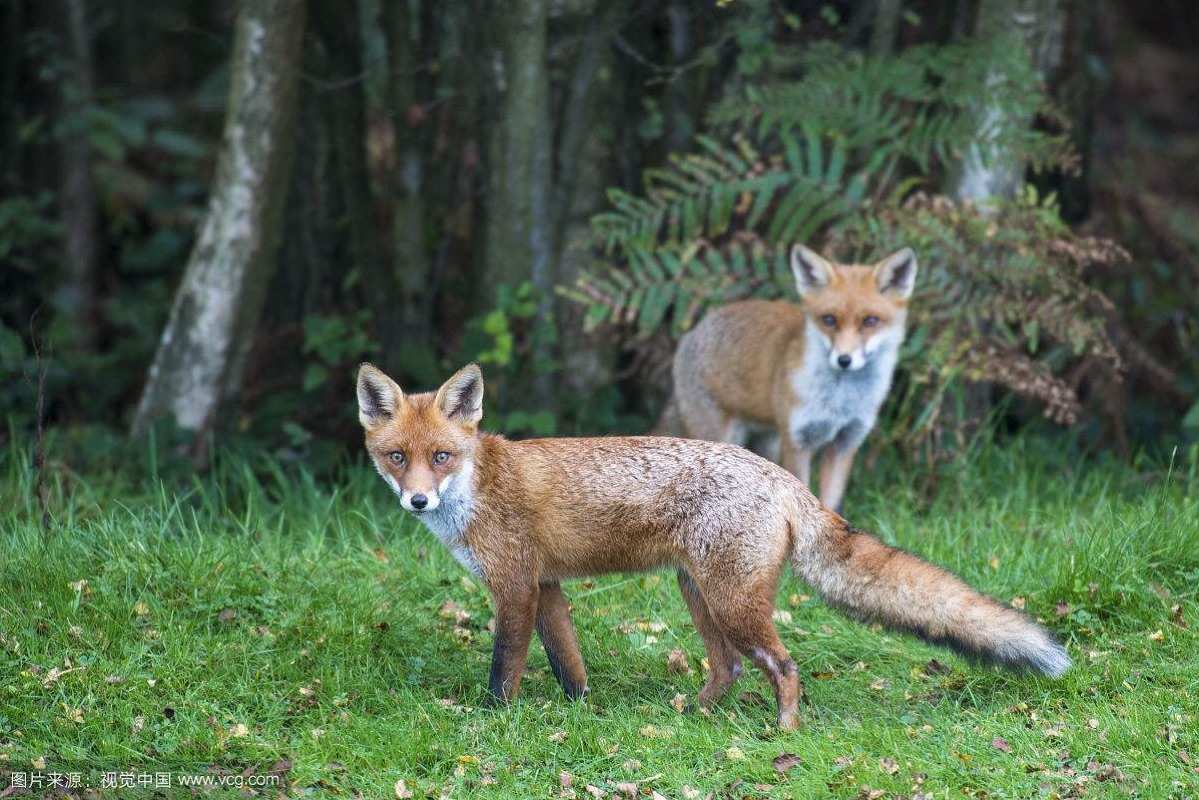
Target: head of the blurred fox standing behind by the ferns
[{"x": 854, "y": 312}]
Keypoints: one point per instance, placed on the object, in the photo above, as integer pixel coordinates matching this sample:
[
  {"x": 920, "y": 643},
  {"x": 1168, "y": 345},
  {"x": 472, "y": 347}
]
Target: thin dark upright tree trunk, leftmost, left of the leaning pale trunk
[{"x": 77, "y": 294}]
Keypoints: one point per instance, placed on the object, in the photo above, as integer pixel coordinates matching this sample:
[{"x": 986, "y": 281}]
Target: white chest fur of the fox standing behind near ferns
[{"x": 836, "y": 405}]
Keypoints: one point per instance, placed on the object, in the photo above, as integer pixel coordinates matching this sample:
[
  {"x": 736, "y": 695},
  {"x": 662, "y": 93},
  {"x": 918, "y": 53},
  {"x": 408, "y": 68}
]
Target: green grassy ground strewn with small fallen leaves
[{"x": 258, "y": 624}]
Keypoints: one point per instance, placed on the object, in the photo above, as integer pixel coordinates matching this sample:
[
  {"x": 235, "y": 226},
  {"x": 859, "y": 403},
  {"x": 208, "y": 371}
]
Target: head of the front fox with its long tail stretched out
[{"x": 423, "y": 446}]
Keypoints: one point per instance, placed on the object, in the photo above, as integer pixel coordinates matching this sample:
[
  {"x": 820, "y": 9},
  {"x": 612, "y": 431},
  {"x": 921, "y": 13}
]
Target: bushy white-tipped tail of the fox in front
[{"x": 869, "y": 580}]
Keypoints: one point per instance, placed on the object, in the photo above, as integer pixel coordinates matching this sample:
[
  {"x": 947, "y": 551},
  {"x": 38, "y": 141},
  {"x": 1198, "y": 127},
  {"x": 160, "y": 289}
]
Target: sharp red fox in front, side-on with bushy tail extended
[{"x": 525, "y": 516}]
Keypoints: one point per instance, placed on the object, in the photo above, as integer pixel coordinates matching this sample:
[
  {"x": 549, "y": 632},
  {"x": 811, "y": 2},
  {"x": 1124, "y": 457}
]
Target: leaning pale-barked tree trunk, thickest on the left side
[{"x": 197, "y": 369}]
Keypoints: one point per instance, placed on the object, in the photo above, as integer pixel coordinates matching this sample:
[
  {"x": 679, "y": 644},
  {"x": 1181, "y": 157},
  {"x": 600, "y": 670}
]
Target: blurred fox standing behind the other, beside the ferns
[{"x": 810, "y": 378}]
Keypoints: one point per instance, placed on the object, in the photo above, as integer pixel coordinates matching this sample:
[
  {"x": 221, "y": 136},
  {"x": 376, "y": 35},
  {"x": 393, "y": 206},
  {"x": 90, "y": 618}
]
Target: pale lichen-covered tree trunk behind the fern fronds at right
[{"x": 1035, "y": 25}]
